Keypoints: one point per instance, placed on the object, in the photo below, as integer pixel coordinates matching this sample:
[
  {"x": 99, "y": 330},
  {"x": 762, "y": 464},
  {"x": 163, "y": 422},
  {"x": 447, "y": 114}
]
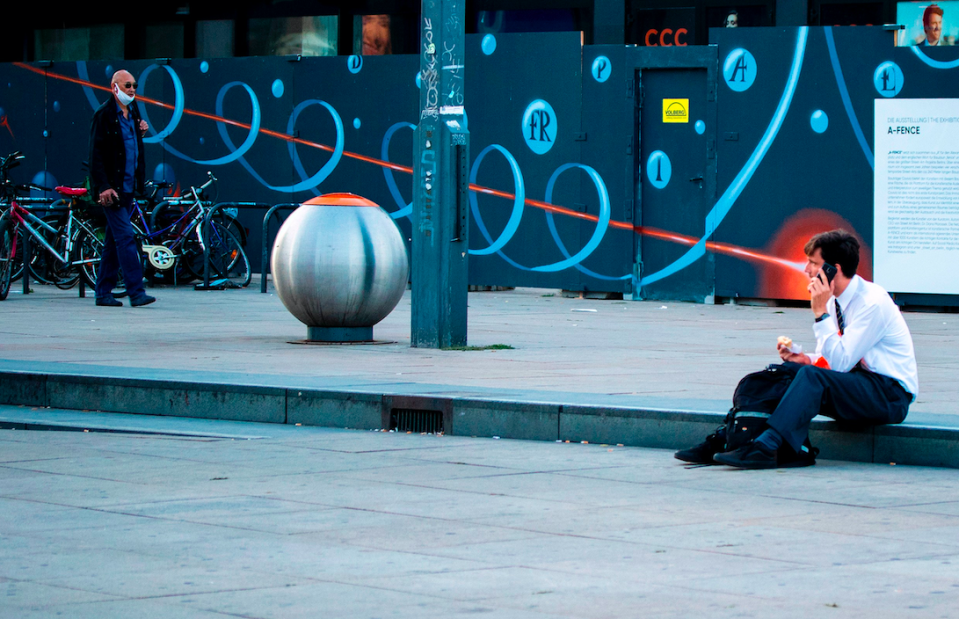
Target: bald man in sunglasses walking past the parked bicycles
[{"x": 117, "y": 170}]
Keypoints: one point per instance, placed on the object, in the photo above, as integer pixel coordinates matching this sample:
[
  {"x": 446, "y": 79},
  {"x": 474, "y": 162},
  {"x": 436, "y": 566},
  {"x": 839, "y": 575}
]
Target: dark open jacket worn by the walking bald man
[{"x": 107, "y": 154}]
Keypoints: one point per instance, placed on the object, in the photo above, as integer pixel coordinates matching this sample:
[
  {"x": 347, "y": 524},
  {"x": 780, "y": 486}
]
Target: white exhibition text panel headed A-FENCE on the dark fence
[{"x": 917, "y": 195}]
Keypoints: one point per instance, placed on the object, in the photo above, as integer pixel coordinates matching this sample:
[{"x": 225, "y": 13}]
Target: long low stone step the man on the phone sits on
[{"x": 924, "y": 439}]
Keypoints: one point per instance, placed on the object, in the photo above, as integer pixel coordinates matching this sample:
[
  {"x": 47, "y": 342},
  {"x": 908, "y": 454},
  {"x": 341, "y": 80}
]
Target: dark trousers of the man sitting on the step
[{"x": 857, "y": 396}]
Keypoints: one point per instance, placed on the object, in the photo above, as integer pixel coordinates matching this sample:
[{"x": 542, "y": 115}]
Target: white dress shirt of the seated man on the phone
[{"x": 874, "y": 332}]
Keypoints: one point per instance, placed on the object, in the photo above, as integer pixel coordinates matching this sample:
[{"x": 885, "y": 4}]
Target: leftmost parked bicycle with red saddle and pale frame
[{"x": 71, "y": 247}]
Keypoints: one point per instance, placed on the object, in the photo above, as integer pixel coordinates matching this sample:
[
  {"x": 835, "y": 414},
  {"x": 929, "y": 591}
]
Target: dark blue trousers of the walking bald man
[{"x": 120, "y": 251}]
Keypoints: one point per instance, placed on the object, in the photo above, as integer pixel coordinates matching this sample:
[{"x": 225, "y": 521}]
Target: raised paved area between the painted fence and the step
[{"x": 663, "y": 354}]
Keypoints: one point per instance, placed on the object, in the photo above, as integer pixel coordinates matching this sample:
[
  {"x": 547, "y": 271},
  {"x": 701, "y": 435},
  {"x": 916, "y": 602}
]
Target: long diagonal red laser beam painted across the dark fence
[{"x": 722, "y": 248}]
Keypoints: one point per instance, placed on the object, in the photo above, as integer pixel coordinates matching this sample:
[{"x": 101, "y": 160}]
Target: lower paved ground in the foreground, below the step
[{"x": 215, "y": 518}]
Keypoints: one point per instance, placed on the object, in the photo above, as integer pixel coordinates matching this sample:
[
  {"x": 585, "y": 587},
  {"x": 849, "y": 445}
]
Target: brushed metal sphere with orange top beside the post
[{"x": 339, "y": 266}]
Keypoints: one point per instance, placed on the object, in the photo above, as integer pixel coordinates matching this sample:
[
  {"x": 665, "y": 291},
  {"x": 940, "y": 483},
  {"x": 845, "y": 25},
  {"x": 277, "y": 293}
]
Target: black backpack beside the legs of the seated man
[{"x": 756, "y": 397}]
